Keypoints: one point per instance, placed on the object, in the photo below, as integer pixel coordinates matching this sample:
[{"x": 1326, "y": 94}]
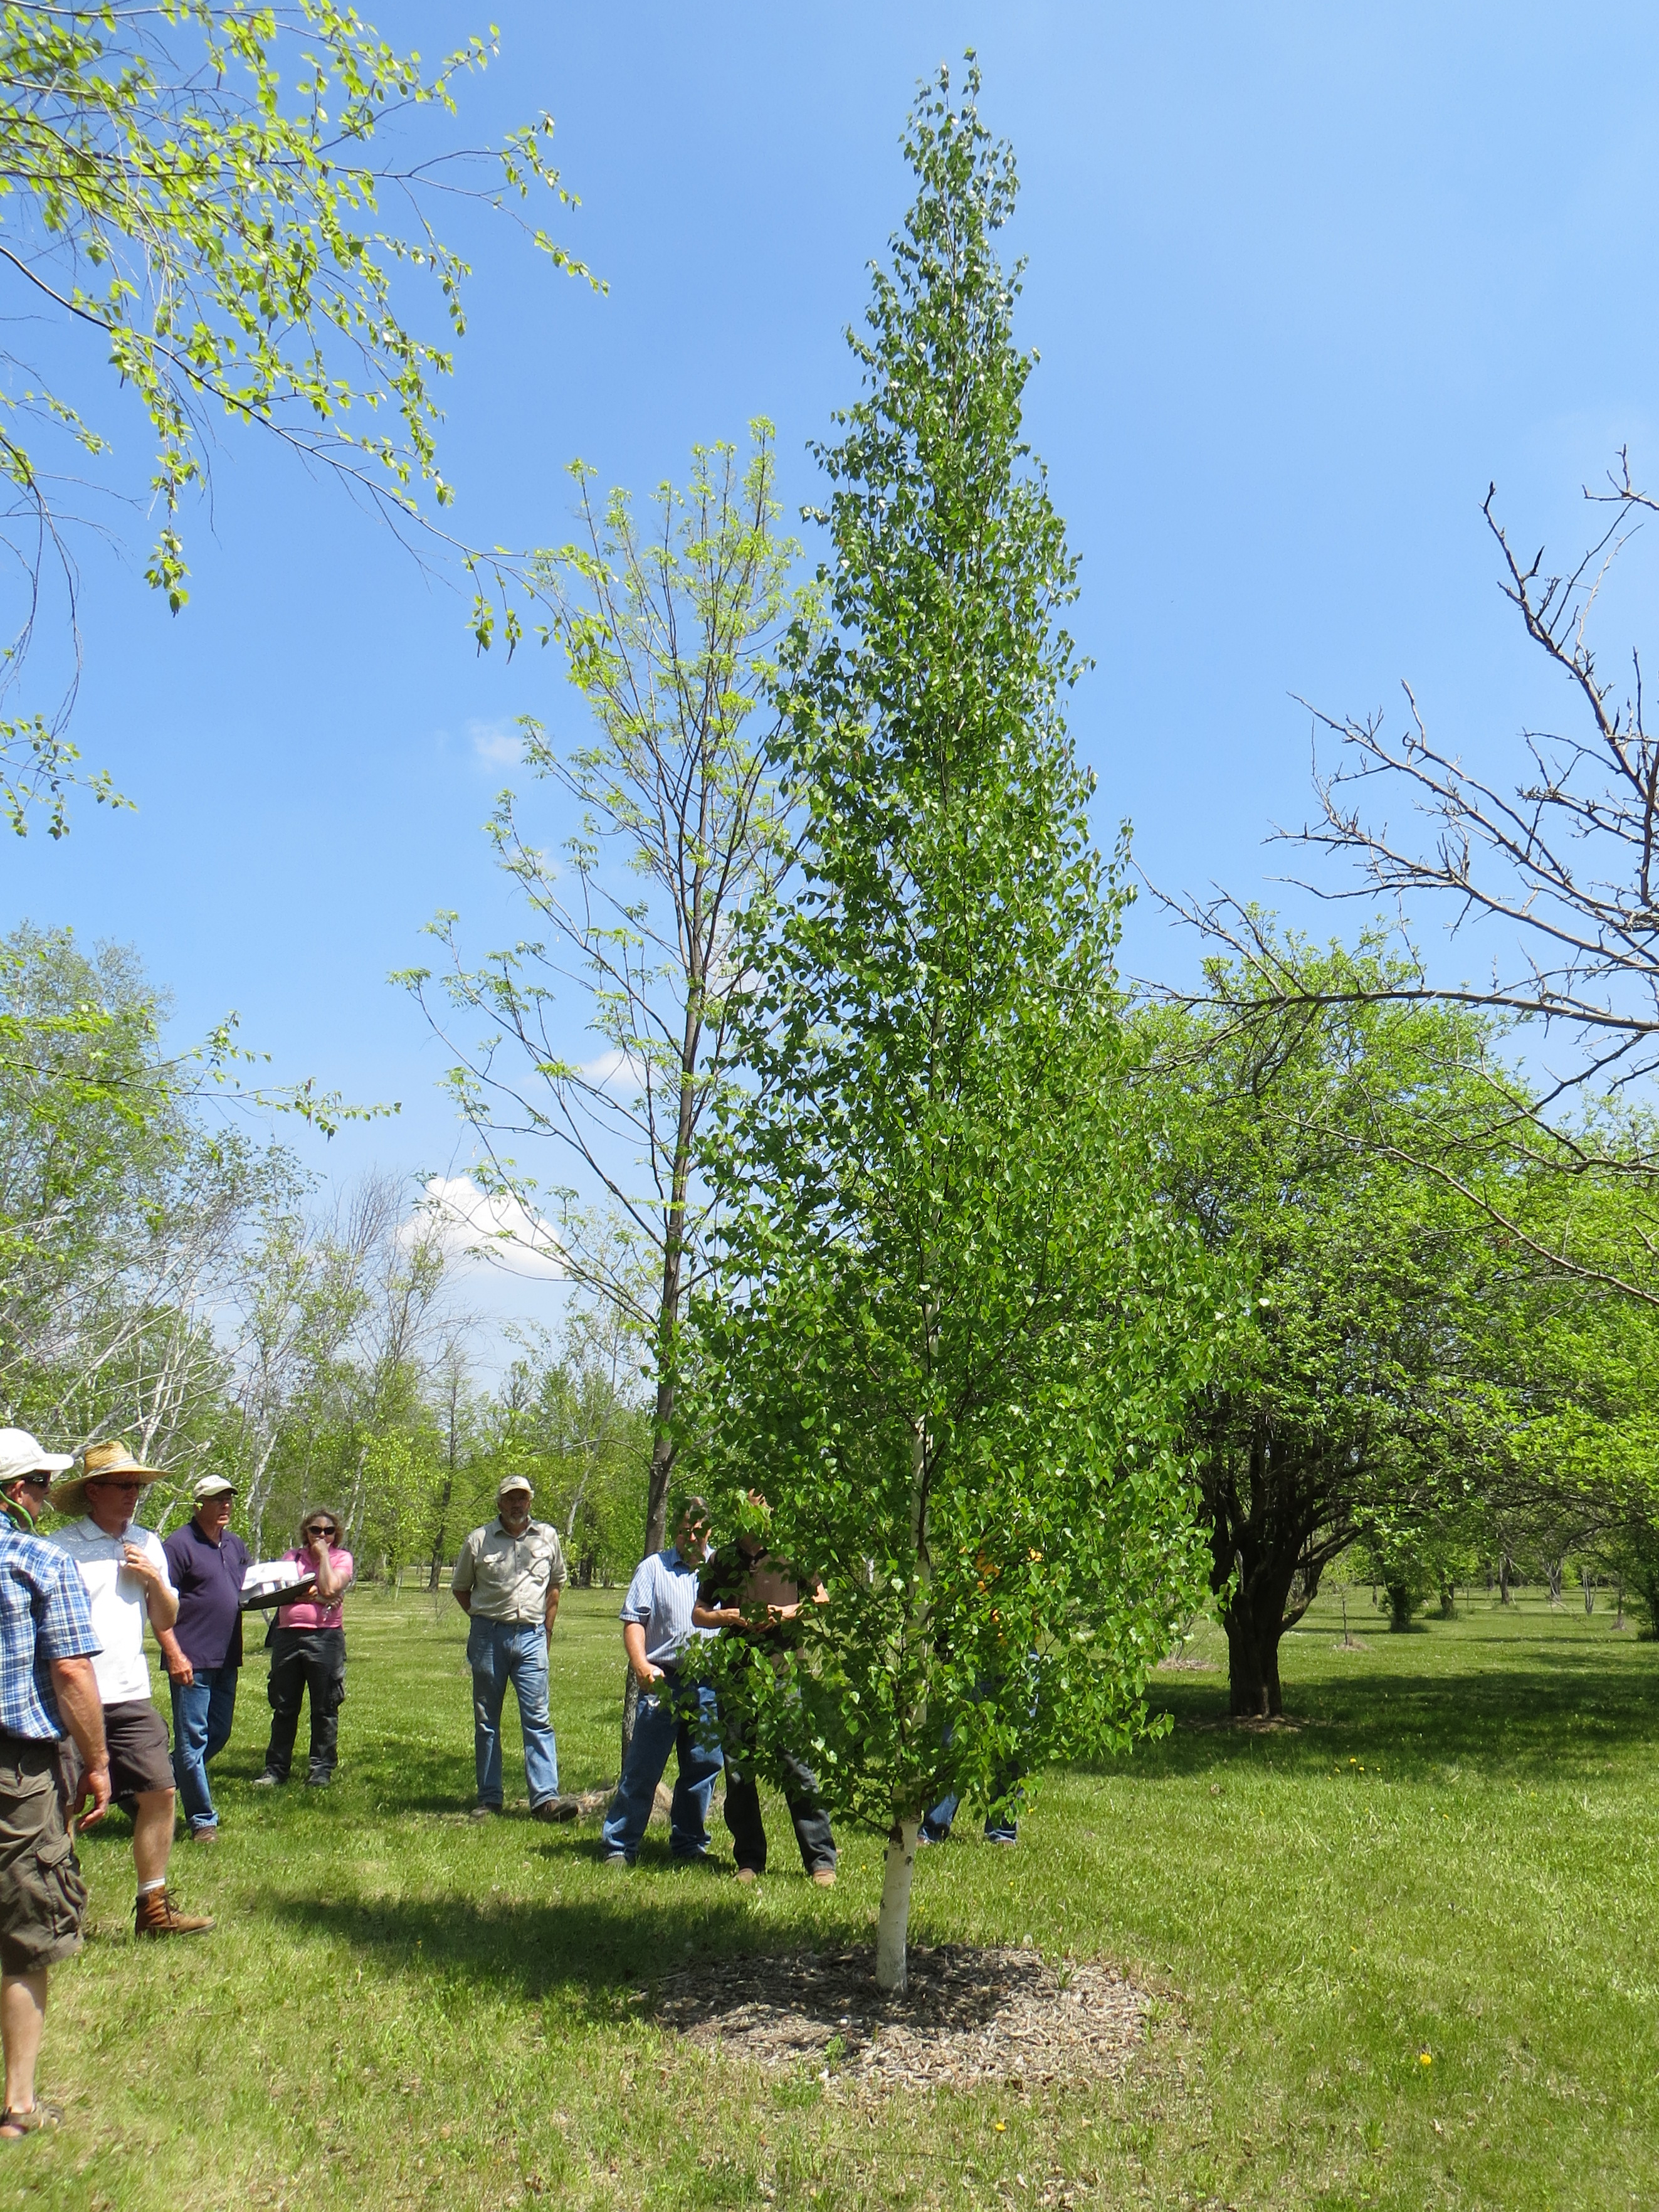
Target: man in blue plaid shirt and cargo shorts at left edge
[{"x": 48, "y": 1689}]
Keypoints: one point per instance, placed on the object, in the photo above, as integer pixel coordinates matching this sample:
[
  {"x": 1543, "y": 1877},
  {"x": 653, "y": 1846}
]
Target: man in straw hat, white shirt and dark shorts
[{"x": 127, "y": 1580}]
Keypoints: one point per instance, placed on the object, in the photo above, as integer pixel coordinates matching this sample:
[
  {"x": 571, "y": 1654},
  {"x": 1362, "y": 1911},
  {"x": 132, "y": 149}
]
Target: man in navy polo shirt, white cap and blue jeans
[{"x": 205, "y": 1647}]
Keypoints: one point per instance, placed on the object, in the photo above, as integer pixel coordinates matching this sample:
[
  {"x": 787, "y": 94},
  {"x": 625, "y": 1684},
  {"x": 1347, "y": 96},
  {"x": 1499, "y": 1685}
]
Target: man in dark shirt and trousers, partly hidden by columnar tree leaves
[{"x": 747, "y": 1592}]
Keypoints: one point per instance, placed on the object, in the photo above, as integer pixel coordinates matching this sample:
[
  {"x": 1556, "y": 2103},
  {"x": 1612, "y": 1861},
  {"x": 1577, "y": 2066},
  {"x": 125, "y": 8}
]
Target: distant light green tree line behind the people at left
[{"x": 169, "y": 1280}]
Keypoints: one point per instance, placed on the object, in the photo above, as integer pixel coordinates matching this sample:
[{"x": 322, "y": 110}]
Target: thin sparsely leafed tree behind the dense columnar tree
[{"x": 671, "y": 636}]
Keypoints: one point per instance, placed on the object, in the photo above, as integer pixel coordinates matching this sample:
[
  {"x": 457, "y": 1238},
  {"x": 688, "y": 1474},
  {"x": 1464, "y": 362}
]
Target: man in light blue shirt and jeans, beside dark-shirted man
[{"x": 674, "y": 1715}]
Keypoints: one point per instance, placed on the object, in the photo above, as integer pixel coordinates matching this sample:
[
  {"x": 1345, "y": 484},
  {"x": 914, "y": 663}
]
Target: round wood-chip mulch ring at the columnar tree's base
[{"x": 968, "y": 2016}]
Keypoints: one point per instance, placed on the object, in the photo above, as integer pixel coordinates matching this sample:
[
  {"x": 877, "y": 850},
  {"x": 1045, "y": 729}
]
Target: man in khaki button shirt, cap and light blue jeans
[{"x": 508, "y": 1583}]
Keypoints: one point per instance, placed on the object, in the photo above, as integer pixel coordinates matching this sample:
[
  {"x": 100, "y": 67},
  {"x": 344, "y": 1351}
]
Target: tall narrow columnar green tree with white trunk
[{"x": 954, "y": 1326}]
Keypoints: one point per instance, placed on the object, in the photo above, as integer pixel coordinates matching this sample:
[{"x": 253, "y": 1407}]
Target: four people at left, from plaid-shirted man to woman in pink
[{"x": 79, "y": 1724}]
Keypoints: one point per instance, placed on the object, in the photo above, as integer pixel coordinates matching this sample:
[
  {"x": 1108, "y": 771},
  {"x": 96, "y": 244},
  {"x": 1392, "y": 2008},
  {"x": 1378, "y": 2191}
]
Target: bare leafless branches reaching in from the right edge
[{"x": 1552, "y": 875}]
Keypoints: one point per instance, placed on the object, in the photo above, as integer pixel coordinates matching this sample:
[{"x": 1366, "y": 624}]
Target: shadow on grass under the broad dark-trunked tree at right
[{"x": 1567, "y": 1722}]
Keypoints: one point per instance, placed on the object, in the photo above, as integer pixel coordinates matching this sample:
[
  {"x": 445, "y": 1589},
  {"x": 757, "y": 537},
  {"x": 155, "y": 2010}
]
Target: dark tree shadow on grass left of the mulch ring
[{"x": 596, "y": 1950}]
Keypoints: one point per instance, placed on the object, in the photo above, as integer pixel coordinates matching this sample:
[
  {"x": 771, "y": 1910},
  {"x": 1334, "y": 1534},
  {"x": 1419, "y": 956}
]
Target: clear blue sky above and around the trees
[{"x": 1304, "y": 282}]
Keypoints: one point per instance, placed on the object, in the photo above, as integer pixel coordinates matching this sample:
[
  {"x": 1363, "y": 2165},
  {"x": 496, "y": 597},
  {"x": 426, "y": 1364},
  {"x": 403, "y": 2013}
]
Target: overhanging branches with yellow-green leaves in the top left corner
[{"x": 222, "y": 202}]
